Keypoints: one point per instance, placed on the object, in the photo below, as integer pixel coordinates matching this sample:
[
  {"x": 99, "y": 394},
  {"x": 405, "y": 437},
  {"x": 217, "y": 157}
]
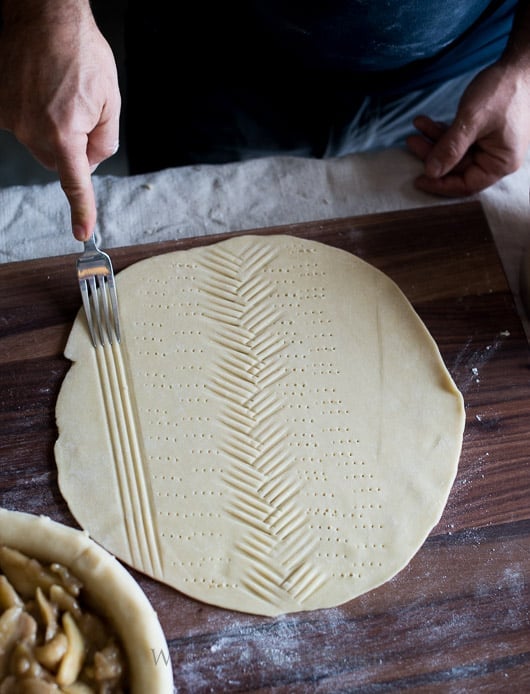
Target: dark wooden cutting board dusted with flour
[{"x": 457, "y": 618}]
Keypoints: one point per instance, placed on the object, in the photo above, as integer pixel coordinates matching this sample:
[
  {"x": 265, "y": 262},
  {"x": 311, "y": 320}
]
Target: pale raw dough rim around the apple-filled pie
[{"x": 111, "y": 588}]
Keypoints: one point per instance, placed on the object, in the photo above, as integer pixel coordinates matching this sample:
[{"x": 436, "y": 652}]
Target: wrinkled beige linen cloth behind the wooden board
[{"x": 209, "y": 199}]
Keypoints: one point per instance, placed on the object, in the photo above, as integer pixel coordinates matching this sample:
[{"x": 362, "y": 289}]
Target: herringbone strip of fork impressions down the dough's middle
[{"x": 275, "y": 548}]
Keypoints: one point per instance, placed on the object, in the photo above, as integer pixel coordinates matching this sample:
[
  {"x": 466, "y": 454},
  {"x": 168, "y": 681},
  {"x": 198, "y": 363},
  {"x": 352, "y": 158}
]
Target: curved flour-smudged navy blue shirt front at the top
[{"x": 399, "y": 44}]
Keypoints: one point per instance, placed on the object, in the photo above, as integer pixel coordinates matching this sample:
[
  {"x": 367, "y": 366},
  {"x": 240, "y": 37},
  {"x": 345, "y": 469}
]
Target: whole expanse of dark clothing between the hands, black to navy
[{"x": 257, "y": 77}]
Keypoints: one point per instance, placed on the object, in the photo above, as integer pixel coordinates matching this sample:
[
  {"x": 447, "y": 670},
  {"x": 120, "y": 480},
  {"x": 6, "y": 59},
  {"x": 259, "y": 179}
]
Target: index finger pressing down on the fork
[{"x": 73, "y": 169}]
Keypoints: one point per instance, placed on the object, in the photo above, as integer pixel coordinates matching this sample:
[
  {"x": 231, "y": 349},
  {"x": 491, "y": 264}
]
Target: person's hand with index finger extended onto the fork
[{"x": 59, "y": 95}]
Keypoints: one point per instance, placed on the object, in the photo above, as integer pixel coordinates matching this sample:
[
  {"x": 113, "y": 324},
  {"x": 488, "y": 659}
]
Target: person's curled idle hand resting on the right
[{"x": 487, "y": 140}]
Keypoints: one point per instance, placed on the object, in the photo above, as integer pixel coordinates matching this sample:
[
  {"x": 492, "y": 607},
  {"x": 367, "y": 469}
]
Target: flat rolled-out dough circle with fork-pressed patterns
[{"x": 276, "y": 432}]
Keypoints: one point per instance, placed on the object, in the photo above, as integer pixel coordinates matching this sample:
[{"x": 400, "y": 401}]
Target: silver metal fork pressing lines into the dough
[{"x": 98, "y": 291}]
